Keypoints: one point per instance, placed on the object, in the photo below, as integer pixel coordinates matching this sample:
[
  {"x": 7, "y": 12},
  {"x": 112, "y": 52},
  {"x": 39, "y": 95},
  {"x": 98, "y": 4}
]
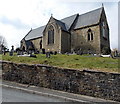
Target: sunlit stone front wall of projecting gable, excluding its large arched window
[{"x": 57, "y": 38}]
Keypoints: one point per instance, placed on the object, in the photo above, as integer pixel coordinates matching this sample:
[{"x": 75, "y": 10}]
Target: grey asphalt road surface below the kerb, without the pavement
[{"x": 14, "y": 95}]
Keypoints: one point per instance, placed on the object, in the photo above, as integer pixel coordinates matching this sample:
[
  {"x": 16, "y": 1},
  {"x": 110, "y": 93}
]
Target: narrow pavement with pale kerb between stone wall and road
[{"x": 70, "y": 97}]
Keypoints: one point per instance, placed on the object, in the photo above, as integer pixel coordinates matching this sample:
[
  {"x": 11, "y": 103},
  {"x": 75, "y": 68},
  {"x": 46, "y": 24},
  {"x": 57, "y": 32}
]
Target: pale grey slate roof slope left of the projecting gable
[{"x": 35, "y": 33}]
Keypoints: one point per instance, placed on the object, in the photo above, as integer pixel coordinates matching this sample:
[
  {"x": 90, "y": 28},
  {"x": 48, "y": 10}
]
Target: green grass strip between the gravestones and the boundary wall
[{"x": 69, "y": 61}]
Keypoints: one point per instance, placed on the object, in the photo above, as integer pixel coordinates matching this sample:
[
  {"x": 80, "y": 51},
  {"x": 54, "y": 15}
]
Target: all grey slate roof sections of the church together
[{"x": 83, "y": 20}]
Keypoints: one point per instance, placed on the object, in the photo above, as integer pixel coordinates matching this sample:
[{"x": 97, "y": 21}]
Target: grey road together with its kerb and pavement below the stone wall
[{"x": 15, "y": 92}]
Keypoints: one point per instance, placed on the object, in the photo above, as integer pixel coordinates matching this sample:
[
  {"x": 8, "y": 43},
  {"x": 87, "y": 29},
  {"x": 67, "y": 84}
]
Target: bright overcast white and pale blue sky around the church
[{"x": 17, "y": 17}]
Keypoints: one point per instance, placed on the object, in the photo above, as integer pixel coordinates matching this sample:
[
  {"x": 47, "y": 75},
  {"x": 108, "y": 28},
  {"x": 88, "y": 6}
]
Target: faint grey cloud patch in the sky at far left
[{"x": 17, "y": 23}]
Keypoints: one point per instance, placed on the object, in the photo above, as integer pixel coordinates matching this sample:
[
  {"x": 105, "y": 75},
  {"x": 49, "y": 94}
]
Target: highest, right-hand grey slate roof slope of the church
[{"x": 88, "y": 18}]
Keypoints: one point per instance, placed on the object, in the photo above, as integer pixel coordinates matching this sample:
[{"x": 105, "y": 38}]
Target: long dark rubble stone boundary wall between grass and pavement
[{"x": 92, "y": 83}]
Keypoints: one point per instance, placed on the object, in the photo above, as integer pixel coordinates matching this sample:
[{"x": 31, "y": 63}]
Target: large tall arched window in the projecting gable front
[{"x": 51, "y": 35}]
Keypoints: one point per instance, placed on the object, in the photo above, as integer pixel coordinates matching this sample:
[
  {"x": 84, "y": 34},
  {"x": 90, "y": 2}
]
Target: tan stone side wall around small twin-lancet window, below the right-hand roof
[{"x": 80, "y": 40}]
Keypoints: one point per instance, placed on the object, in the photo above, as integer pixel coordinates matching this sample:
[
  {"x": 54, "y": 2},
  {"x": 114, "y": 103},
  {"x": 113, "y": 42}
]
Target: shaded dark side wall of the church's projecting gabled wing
[{"x": 65, "y": 42}]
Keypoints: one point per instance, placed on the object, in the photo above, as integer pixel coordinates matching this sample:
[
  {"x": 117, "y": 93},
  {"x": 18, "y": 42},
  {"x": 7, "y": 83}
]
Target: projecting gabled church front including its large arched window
[{"x": 52, "y": 35}]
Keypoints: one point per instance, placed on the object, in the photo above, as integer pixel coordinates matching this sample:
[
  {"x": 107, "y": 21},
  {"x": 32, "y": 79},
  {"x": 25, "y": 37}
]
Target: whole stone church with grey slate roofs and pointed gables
[{"x": 84, "y": 33}]
